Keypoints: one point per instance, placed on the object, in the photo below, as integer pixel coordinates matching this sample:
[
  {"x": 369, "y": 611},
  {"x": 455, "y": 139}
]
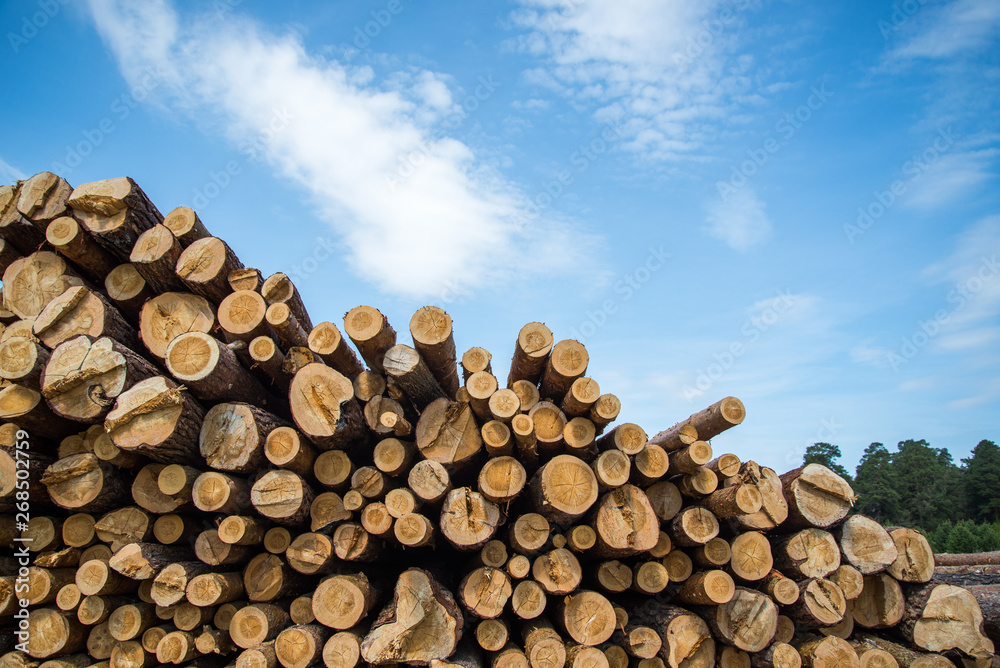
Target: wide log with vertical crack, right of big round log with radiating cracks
[{"x": 625, "y": 523}]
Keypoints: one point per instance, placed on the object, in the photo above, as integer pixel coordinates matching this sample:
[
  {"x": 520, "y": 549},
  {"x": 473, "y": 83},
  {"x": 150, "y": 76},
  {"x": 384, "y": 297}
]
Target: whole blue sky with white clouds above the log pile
[{"x": 793, "y": 203}]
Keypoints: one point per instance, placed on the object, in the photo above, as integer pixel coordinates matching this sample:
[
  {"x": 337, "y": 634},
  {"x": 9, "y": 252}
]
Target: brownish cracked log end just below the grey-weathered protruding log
[{"x": 447, "y": 433}]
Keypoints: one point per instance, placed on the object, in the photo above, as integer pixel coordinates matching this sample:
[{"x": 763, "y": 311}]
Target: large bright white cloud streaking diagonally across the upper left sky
[{"x": 419, "y": 212}]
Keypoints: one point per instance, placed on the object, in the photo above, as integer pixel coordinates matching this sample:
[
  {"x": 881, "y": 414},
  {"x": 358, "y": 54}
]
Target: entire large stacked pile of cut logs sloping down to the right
[{"x": 216, "y": 480}]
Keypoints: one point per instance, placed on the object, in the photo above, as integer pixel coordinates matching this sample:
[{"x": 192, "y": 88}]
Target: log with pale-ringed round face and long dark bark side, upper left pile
[{"x": 212, "y": 372}]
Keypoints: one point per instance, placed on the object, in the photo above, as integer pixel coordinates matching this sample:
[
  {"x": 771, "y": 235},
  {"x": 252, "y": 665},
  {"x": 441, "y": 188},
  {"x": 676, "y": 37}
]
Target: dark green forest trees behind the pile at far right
[{"x": 956, "y": 506}]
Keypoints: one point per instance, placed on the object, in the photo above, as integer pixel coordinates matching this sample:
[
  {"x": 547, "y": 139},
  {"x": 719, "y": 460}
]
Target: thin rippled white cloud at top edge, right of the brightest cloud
[{"x": 664, "y": 70}]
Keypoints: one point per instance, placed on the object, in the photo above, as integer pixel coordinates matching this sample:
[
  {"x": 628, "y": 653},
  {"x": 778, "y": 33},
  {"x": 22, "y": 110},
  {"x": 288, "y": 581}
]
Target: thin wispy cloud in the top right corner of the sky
[{"x": 949, "y": 29}]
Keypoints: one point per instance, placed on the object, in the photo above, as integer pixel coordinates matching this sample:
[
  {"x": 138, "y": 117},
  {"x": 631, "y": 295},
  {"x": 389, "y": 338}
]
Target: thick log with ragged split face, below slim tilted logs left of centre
[{"x": 324, "y": 408}]
